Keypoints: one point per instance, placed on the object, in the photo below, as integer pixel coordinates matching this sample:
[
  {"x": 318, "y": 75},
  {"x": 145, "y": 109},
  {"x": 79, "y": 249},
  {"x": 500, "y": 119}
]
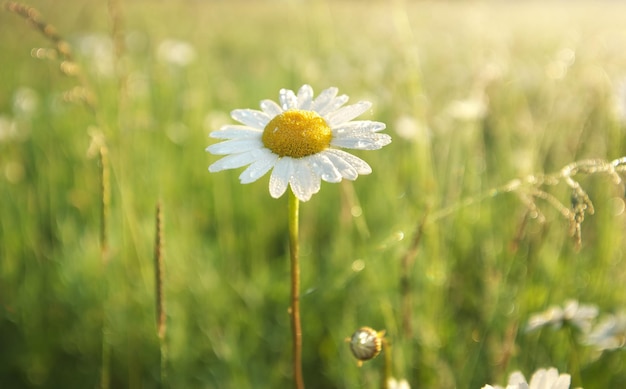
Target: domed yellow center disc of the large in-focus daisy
[{"x": 297, "y": 133}]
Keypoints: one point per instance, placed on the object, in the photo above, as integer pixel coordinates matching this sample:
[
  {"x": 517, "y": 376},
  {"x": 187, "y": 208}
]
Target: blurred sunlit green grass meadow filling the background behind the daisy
[{"x": 438, "y": 246}]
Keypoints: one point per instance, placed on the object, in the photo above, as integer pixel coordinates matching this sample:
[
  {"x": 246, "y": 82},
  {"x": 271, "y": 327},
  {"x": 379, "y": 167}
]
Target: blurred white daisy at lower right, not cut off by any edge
[{"x": 573, "y": 313}]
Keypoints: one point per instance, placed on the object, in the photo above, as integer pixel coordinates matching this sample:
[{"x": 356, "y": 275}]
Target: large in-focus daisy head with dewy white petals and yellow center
[{"x": 299, "y": 139}]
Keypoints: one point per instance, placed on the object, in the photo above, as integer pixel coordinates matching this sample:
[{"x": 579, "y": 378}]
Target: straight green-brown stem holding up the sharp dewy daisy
[{"x": 294, "y": 310}]
